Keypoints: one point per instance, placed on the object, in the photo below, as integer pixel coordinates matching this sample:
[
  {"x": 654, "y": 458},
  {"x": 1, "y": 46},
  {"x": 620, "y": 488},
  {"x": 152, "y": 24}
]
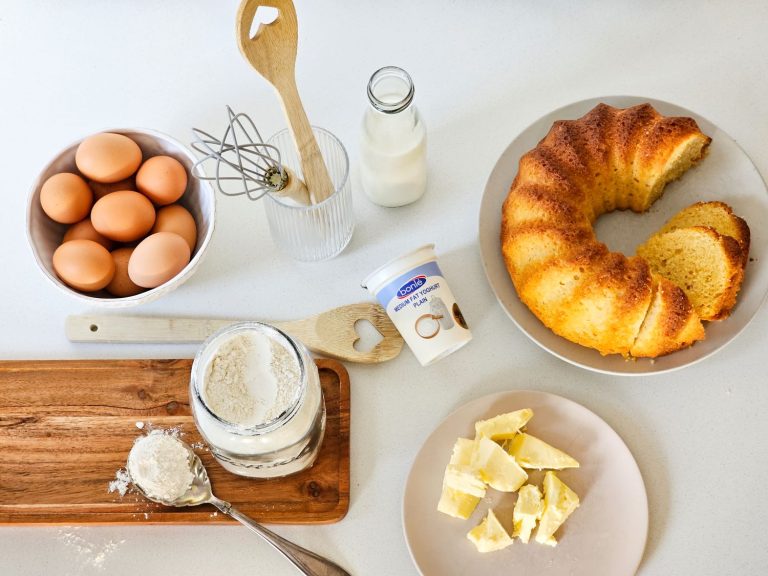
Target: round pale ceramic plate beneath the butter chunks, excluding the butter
[{"x": 605, "y": 535}]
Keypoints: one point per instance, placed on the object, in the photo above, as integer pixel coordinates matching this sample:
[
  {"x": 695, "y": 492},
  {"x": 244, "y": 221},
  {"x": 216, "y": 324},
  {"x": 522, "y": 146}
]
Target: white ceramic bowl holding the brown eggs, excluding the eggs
[{"x": 45, "y": 235}]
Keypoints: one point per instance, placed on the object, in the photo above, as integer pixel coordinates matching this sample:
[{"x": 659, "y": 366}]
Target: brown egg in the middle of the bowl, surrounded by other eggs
[{"x": 123, "y": 216}]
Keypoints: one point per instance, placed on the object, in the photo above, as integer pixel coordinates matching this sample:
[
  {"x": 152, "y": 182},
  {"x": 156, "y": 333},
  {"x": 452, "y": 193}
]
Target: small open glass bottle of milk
[{"x": 393, "y": 145}]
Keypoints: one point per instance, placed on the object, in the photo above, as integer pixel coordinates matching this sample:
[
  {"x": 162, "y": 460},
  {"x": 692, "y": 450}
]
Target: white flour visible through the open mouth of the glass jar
[{"x": 251, "y": 380}]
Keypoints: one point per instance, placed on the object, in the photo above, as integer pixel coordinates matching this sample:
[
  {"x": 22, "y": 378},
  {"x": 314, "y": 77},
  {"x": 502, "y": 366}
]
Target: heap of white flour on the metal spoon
[{"x": 159, "y": 464}]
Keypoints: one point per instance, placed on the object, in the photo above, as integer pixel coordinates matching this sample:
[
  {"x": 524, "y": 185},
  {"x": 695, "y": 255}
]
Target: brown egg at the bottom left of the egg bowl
[{"x": 84, "y": 265}]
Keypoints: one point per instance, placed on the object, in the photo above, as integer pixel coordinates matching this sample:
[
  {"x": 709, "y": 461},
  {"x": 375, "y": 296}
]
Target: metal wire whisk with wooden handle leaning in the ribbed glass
[{"x": 252, "y": 163}]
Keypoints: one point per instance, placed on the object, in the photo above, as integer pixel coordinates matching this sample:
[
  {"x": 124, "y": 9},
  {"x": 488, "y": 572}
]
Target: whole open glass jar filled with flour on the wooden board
[{"x": 257, "y": 401}]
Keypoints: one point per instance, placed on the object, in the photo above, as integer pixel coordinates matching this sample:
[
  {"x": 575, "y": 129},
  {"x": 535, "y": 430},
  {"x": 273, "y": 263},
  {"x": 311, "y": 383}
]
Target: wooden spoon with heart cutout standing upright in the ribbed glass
[{"x": 272, "y": 53}]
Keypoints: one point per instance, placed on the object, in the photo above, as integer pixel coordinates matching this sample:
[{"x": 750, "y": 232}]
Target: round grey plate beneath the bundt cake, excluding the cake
[{"x": 726, "y": 174}]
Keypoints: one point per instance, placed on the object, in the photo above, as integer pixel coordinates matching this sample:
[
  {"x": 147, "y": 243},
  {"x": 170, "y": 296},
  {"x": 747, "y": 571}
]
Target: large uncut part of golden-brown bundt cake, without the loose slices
[{"x": 609, "y": 159}]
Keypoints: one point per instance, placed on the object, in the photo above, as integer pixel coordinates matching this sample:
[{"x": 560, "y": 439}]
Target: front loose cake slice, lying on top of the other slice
[{"x": 706, "y": 265}]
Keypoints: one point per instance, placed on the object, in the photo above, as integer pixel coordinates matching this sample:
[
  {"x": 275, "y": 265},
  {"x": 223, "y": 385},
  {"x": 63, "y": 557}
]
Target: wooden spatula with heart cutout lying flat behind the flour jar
[{"x": 330, "y": 333}]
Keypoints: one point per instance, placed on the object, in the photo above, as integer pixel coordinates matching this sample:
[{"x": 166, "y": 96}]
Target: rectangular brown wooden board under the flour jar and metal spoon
[{"x": 66, "y": 427}]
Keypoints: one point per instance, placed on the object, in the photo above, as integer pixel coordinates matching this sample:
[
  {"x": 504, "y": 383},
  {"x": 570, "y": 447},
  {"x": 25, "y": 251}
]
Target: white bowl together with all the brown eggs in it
[{"x": 116, "y": 219}]
